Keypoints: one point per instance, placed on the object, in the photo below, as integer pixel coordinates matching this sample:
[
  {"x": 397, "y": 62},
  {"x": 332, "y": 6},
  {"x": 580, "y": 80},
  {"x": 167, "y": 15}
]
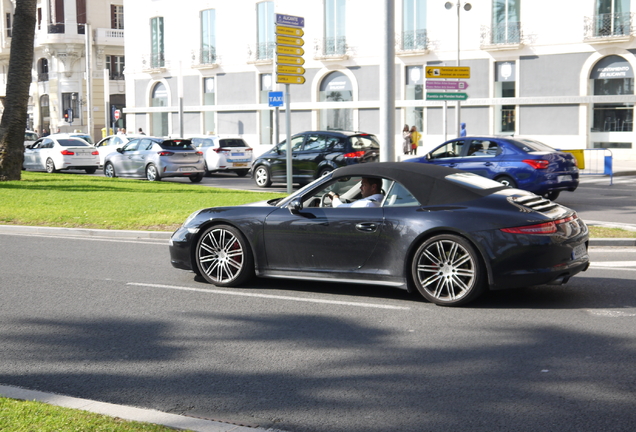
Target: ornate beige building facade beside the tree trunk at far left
[{"x": 71, "y": 38}]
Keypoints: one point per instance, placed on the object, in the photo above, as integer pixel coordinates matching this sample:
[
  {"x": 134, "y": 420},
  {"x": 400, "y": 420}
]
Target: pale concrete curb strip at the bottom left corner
[{"x": 126, "y": 412}]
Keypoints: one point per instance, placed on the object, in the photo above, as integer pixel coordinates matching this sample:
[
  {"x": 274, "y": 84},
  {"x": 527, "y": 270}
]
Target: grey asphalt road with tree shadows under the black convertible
[{"x": 111, "y": 320}]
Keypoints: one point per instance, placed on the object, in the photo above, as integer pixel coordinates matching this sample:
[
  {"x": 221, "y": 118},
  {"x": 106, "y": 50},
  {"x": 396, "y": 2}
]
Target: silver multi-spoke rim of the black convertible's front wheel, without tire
[{"x": 220, "y": 256}]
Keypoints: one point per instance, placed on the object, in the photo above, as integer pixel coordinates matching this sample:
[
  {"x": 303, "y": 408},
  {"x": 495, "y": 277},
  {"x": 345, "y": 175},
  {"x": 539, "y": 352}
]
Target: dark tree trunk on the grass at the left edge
[{"x": 14, "y": 117}]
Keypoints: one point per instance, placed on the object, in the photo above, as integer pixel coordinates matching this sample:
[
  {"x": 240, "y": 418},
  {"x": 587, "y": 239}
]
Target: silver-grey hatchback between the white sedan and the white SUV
[{"x": 156, "y": 158}]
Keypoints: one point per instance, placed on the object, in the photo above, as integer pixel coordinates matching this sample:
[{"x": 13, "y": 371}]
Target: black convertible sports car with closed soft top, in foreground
[{"x": 447, "y": 233}]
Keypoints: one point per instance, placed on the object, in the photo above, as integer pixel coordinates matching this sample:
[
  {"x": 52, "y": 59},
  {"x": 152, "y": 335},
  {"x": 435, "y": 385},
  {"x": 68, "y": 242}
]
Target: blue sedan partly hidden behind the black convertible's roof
[{"x": 517, "y": 162}]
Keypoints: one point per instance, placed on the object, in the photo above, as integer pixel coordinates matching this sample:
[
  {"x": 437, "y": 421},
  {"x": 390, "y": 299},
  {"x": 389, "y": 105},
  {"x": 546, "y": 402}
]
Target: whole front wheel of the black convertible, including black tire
[{"x": 223, "y": 256}]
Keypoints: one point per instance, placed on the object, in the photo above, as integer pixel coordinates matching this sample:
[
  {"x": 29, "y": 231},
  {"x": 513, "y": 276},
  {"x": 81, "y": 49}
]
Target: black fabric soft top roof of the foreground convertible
[{"x": 427, "y": 182}]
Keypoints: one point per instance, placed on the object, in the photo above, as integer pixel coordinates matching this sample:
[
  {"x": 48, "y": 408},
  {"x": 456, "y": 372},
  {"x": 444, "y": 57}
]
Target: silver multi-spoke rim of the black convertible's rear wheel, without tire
[{"x": 445, "y": 270}]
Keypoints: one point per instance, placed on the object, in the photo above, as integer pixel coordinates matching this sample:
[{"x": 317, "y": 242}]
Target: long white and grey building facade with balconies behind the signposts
[{"x": 560, "y": 72}]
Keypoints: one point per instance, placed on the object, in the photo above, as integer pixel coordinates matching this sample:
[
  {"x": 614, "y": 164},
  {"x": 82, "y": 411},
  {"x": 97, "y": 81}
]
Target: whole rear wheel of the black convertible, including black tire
[{"x": 448, "y": 271}]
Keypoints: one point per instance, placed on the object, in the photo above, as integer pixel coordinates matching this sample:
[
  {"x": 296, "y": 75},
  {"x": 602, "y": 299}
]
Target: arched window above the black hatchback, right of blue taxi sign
[{"x": 336, "y": 87}]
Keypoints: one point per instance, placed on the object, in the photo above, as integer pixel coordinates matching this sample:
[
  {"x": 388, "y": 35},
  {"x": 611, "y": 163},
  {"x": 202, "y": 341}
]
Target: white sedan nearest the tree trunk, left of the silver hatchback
[{"x": 54, "y": 153}]
